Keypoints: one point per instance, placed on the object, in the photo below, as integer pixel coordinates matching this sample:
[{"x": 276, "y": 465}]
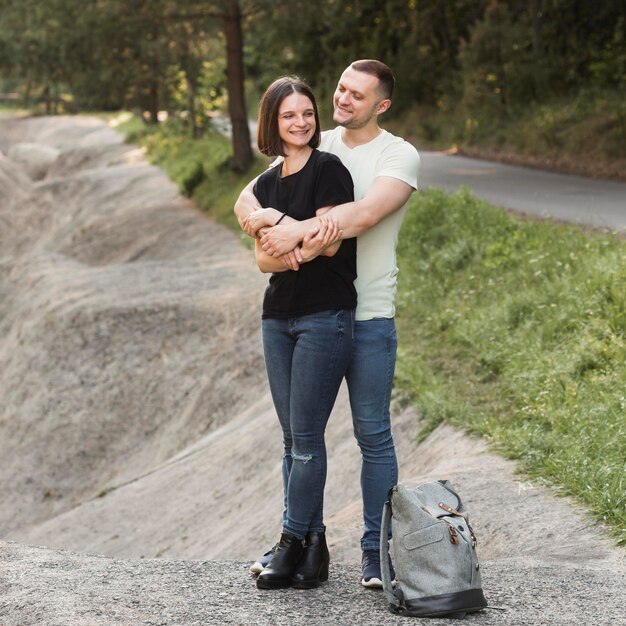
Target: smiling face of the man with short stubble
[{"x": 356, "y": 99}]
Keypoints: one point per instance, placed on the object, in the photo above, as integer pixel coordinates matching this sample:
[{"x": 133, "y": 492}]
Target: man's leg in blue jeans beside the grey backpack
[{"x": 370, "y": 380}]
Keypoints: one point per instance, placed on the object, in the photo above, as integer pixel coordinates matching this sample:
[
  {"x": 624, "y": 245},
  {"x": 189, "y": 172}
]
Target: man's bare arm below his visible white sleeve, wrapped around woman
[{"x": 385, "y": 196}]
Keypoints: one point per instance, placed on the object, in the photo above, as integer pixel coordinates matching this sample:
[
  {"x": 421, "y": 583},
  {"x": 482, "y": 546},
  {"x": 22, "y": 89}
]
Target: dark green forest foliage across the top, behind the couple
[{"x": 487, "y": 55}]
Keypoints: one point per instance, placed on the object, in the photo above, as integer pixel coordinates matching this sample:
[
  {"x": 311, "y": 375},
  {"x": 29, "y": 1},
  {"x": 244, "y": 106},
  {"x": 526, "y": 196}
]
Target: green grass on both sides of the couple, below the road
[{"x": 513, "y": 330}]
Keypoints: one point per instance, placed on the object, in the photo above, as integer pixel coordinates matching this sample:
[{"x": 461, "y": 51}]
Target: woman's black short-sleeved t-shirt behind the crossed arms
[{"x": 325, "y": 283}]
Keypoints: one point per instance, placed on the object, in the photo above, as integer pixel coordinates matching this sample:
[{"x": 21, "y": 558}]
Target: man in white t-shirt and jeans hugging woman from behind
[{"x": 385, "y": 170}]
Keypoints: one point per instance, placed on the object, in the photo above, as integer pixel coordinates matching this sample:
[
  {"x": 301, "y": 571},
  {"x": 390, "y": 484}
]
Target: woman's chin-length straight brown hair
[{"x": 268, "y": 136}]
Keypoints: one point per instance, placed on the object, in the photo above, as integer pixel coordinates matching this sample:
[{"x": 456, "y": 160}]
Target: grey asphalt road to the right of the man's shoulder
[{"x": 576, "y": 199}]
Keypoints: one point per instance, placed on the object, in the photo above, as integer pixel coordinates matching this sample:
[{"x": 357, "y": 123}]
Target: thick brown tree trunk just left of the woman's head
[{"x": 242, "y": 150}]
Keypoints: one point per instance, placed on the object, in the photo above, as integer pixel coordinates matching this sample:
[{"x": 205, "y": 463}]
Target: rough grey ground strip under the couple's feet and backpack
[{"x": 41, "y": 587}]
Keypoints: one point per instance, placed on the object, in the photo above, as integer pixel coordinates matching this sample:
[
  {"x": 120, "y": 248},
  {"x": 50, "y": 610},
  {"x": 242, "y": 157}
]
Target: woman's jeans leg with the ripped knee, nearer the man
[{"x": 320, "y": 358}]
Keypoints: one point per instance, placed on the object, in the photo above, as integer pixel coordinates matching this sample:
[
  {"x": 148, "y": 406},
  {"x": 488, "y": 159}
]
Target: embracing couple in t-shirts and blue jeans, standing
[{"x": 325, "y": 219}]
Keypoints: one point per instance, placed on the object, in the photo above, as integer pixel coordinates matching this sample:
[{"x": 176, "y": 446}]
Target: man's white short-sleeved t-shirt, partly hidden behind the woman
[{"x": 386, "y": 155}]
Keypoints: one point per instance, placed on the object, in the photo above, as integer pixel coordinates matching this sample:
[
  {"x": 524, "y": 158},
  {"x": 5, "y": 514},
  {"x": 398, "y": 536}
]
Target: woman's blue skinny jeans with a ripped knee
[{"x": 306, "y": 358}]
